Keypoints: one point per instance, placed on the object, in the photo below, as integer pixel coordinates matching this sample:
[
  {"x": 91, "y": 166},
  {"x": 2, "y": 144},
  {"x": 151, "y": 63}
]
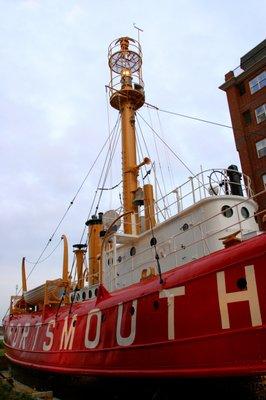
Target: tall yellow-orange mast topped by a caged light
[{"x": 127, "y": 95}]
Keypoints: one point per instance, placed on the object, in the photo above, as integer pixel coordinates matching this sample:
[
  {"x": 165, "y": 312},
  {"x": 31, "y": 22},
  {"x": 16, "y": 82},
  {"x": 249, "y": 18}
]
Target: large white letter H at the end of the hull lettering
[{"x": 250, "y": 295}]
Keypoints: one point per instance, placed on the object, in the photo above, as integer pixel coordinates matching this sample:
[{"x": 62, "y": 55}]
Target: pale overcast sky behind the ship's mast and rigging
[{"x": 53, "y": 105}]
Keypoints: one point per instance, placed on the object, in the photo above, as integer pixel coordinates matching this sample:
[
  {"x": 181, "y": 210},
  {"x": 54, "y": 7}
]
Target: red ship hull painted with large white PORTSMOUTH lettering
[{"x": 206, "y": 319}]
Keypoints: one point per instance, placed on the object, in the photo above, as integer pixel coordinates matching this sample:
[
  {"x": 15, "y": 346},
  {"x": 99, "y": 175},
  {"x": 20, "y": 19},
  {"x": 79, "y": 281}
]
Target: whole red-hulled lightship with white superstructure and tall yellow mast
[{"x": 180, "y": 291}]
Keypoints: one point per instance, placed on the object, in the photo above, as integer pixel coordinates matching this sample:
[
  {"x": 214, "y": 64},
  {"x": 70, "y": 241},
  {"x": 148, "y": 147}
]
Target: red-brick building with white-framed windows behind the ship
[{"x": 245, "y": 88}]
